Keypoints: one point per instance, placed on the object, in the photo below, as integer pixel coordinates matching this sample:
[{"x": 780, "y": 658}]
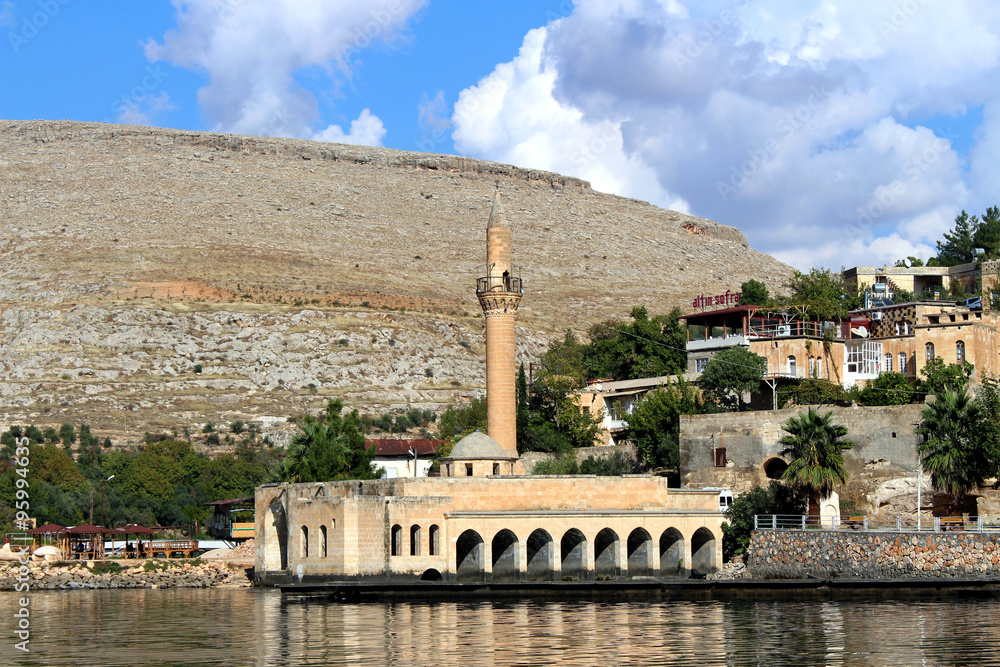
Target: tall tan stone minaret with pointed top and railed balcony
[{"x": 499, "y": 293}]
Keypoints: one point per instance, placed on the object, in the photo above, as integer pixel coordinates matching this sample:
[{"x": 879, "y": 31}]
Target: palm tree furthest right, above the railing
[{"x": 954, "y": 449}]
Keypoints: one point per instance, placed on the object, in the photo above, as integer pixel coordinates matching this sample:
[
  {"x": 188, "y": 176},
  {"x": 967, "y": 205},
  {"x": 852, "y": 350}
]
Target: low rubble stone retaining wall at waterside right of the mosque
[{"x": 794, "y": 554}]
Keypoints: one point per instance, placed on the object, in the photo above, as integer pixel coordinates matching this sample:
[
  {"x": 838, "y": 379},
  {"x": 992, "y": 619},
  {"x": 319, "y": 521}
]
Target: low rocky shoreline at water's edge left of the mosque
[{"x": 152, "y": 574}]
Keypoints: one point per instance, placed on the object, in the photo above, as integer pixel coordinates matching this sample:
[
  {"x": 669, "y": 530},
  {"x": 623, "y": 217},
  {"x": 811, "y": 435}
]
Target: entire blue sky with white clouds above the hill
[{"x": 831, "y": 133}]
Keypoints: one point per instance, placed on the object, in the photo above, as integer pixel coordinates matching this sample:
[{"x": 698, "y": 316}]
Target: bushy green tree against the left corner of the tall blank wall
[{"x": 654, "y": 425}]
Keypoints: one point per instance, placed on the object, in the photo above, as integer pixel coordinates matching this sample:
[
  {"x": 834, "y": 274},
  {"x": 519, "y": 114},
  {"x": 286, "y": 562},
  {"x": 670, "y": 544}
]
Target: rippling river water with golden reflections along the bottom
[{"x": 259, "y": 627}]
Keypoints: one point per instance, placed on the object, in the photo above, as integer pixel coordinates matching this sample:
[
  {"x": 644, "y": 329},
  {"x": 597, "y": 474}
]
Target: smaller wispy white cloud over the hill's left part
[{"x": 252, "y": 50}]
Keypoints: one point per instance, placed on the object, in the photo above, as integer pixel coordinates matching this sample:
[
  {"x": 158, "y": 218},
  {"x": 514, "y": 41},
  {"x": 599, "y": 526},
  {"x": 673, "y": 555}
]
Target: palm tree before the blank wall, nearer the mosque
[{"x": 816, "y": 448}]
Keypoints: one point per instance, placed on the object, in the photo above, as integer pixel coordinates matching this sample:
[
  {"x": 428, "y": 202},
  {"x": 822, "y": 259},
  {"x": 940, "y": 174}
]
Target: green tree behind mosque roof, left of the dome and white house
[{"x": 330, "y": 448}]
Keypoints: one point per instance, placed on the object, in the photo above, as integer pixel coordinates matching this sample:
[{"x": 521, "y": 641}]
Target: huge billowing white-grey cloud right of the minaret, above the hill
[{"x": 792, "y": 121}]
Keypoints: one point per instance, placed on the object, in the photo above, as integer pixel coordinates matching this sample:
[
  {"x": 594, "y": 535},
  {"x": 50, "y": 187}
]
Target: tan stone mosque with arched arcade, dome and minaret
[{"x": 483, "y": 520}]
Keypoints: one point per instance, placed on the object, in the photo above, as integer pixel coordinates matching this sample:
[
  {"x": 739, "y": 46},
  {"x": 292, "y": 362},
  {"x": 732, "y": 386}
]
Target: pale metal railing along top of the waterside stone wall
[{"x": 862, "y": 523}]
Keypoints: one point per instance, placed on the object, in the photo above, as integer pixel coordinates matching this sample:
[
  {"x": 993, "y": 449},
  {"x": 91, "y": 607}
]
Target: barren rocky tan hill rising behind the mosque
[{"x": 154, "y": 279}]
